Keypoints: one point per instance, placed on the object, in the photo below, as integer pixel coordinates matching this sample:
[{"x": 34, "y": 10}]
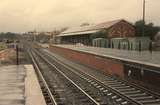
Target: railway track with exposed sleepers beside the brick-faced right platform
[{"x": 118, "y": 90}]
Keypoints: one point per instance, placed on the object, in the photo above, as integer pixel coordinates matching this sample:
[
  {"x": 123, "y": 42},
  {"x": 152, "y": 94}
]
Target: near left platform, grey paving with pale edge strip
[{"x": 19, "y": 86}]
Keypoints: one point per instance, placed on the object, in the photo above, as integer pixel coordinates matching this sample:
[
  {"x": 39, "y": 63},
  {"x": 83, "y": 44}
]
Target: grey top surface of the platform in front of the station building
[{"x": 143, "y": 57}]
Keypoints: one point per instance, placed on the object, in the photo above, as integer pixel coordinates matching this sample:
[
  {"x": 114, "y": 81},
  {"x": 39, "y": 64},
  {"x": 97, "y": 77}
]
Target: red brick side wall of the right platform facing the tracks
[{"x": 106, "y": 65}]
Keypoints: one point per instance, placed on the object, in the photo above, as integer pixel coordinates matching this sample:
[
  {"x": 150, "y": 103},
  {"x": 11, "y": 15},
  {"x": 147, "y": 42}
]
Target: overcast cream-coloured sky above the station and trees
[{"x": 46, "y": 15}]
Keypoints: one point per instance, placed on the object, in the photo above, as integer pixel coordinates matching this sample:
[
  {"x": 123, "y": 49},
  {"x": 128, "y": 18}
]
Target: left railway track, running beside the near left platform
[{"x": 64, "y": 91}]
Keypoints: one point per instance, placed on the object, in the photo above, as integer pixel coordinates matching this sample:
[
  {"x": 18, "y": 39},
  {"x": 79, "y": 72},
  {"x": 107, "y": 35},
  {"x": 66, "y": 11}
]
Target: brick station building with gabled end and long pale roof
[{"x": 117, "y": 28}]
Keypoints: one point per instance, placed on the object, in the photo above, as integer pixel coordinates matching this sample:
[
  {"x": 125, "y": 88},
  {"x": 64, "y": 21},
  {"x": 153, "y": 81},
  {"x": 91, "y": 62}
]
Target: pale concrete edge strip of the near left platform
[{"x": 33, "y": 91}]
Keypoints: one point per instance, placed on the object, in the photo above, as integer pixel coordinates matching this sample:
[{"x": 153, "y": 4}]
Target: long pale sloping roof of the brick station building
[{"x": 88, "y": 29}]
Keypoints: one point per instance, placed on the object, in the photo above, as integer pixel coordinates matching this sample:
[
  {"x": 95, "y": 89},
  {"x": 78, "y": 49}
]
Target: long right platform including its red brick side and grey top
[{"x": 143, "y": 66}]
